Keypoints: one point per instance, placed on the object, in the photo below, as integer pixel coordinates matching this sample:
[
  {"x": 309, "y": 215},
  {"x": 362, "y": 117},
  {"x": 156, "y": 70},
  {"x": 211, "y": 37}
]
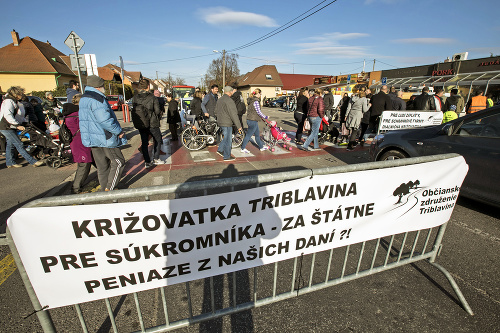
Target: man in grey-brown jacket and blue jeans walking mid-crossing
[{"x": 227, "y": 116}]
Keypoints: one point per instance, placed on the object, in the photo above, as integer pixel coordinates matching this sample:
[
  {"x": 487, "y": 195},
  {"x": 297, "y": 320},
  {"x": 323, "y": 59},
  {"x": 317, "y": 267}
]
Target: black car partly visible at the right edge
[{"x": 475, "y": 136}]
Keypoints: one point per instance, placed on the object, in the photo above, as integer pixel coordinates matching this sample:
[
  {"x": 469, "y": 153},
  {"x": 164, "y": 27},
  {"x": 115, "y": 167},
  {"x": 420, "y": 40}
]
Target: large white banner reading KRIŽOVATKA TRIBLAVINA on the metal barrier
[{"x": 74, "y": 254}]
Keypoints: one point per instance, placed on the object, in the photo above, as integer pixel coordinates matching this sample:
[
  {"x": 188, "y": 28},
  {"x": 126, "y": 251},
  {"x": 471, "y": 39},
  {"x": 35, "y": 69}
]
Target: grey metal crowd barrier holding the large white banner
[{"x": 261, "y": 285}]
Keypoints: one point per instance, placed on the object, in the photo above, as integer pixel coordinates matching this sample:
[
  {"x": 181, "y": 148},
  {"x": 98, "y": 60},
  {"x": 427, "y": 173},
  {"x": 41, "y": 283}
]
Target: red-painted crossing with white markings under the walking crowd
[{"x": 182, "y": 165}]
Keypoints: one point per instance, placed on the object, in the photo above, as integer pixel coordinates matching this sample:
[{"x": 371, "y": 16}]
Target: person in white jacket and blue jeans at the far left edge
[{"x": 11, "y": 118}]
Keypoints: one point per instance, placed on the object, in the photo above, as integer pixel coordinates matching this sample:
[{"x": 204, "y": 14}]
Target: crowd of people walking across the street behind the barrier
[{"x": 97, "y": 135}]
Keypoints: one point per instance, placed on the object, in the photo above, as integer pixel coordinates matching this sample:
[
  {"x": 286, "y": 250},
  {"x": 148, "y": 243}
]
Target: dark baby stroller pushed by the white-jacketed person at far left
[{"x": 43, "y": 146}]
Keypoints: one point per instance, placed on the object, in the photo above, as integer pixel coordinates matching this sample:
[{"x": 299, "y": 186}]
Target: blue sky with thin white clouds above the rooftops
[{"x": 151, "y": 35}]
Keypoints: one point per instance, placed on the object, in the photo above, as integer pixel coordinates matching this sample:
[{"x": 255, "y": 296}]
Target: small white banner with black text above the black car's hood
[{"x": 394, "y": 120}]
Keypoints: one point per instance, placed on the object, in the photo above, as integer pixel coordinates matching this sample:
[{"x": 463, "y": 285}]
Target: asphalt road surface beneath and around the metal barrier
[{"x": 413, "y": 298}]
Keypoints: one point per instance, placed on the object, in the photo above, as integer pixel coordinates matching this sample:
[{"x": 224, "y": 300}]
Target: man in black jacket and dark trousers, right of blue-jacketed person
[{"x": 146, "y": 115}]
